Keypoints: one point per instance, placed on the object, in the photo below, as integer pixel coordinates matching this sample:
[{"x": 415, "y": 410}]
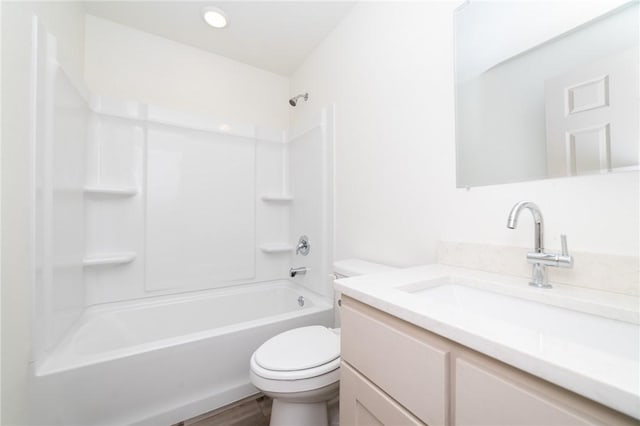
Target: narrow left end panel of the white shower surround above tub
[{"x": 58, "y": 167}]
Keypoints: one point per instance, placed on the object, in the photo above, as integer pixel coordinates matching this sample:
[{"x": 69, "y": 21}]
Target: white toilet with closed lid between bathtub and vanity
[{"x": 300, "y": 368}]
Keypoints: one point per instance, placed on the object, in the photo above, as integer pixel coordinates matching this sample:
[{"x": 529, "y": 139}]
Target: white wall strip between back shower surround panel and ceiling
[{"x": 125, "y": 63}]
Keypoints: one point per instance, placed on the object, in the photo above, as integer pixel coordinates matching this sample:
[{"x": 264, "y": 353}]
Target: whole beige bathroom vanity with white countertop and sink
[{"x": 438, "y": 345}]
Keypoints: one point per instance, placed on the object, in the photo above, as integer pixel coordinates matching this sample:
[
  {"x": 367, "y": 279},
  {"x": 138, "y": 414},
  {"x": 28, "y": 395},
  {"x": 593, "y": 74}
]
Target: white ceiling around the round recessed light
[{"x": 275, "y": 36}]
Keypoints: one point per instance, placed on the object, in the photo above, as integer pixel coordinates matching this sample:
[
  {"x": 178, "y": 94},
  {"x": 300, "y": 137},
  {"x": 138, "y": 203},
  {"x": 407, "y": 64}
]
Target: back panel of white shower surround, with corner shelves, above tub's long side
[{"x": 171, "y": 208}]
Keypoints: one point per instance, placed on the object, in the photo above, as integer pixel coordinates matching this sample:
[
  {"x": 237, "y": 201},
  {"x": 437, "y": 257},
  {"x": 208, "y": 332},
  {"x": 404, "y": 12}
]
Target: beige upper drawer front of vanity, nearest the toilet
[{"x": 404, "y": 361}]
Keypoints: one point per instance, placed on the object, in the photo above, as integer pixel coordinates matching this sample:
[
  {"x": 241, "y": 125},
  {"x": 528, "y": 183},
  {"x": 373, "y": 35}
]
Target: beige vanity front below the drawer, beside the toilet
[{"x": 363, "y": 404}]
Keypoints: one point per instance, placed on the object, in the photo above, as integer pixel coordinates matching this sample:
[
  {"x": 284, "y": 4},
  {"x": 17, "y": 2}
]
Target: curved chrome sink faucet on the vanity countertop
[{"x": 539, "y": 258}]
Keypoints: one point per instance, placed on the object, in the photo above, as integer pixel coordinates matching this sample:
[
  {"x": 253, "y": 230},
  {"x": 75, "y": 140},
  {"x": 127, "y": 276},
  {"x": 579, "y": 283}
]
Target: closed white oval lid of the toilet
[{"x": 299, "y": 349}]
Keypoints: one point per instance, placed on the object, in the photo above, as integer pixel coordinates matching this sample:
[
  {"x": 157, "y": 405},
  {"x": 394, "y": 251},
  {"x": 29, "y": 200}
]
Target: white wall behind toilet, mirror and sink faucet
[{"x": 389, "y": 68}]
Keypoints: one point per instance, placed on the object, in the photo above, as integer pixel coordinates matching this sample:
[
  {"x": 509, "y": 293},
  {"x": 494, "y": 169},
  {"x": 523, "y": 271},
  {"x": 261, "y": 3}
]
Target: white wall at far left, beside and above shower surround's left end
[{"x": 66, "y": 21}]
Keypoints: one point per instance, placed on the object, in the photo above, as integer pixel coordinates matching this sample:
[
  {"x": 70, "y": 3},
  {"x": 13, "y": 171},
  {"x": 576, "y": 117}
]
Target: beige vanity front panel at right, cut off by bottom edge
[{"x": 482, "y": 397}]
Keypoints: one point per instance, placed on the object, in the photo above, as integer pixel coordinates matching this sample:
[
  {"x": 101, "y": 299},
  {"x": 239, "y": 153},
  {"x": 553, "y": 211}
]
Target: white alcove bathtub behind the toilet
[{"x": 161, "y": 360}]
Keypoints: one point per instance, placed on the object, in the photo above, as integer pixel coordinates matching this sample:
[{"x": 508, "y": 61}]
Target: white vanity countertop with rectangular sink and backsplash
[{"x": 606, "y": 371}]
